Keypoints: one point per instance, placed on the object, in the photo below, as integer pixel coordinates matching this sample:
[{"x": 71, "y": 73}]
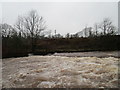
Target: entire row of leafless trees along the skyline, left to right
[{"x": 33, "y": 27}]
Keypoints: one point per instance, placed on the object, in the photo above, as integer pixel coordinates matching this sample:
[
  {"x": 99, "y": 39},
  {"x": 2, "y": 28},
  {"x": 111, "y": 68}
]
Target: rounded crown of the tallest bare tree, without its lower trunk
[{"x": 34, "y": 23}]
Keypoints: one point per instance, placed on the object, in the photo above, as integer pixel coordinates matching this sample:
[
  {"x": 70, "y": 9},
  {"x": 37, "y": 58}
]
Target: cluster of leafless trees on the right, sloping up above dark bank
[{"x": 106, "y": 27}]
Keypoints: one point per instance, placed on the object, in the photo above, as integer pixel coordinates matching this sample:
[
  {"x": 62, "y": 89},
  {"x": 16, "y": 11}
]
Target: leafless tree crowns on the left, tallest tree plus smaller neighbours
[{"x": 28, "y": 26}]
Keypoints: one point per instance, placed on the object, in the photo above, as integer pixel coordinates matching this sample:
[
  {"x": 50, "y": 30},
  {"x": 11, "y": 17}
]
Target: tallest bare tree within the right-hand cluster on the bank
[{"x": 107, "y": 27}]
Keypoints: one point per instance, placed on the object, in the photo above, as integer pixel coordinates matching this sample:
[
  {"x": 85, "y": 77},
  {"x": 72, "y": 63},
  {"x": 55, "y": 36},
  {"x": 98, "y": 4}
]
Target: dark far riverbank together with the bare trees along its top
[{"x": 29, "y": 35}]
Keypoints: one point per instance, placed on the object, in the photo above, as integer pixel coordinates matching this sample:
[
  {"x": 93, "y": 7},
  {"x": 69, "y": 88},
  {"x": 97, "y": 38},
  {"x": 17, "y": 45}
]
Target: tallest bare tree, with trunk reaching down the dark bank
[{"x": 31, "y": 25}]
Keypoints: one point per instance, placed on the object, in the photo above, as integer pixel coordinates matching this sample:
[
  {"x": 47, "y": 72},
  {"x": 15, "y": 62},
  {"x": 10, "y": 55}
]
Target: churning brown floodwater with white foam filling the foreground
[{"x": 60, "y": 71}]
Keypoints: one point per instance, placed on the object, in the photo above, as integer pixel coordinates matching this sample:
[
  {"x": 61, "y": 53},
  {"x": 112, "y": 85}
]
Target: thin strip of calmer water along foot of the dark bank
[{"x": 72, "y": 54}]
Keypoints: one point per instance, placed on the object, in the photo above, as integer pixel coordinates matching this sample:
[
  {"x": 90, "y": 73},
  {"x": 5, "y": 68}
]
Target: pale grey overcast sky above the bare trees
[{"x": 65, "y": 17}]
